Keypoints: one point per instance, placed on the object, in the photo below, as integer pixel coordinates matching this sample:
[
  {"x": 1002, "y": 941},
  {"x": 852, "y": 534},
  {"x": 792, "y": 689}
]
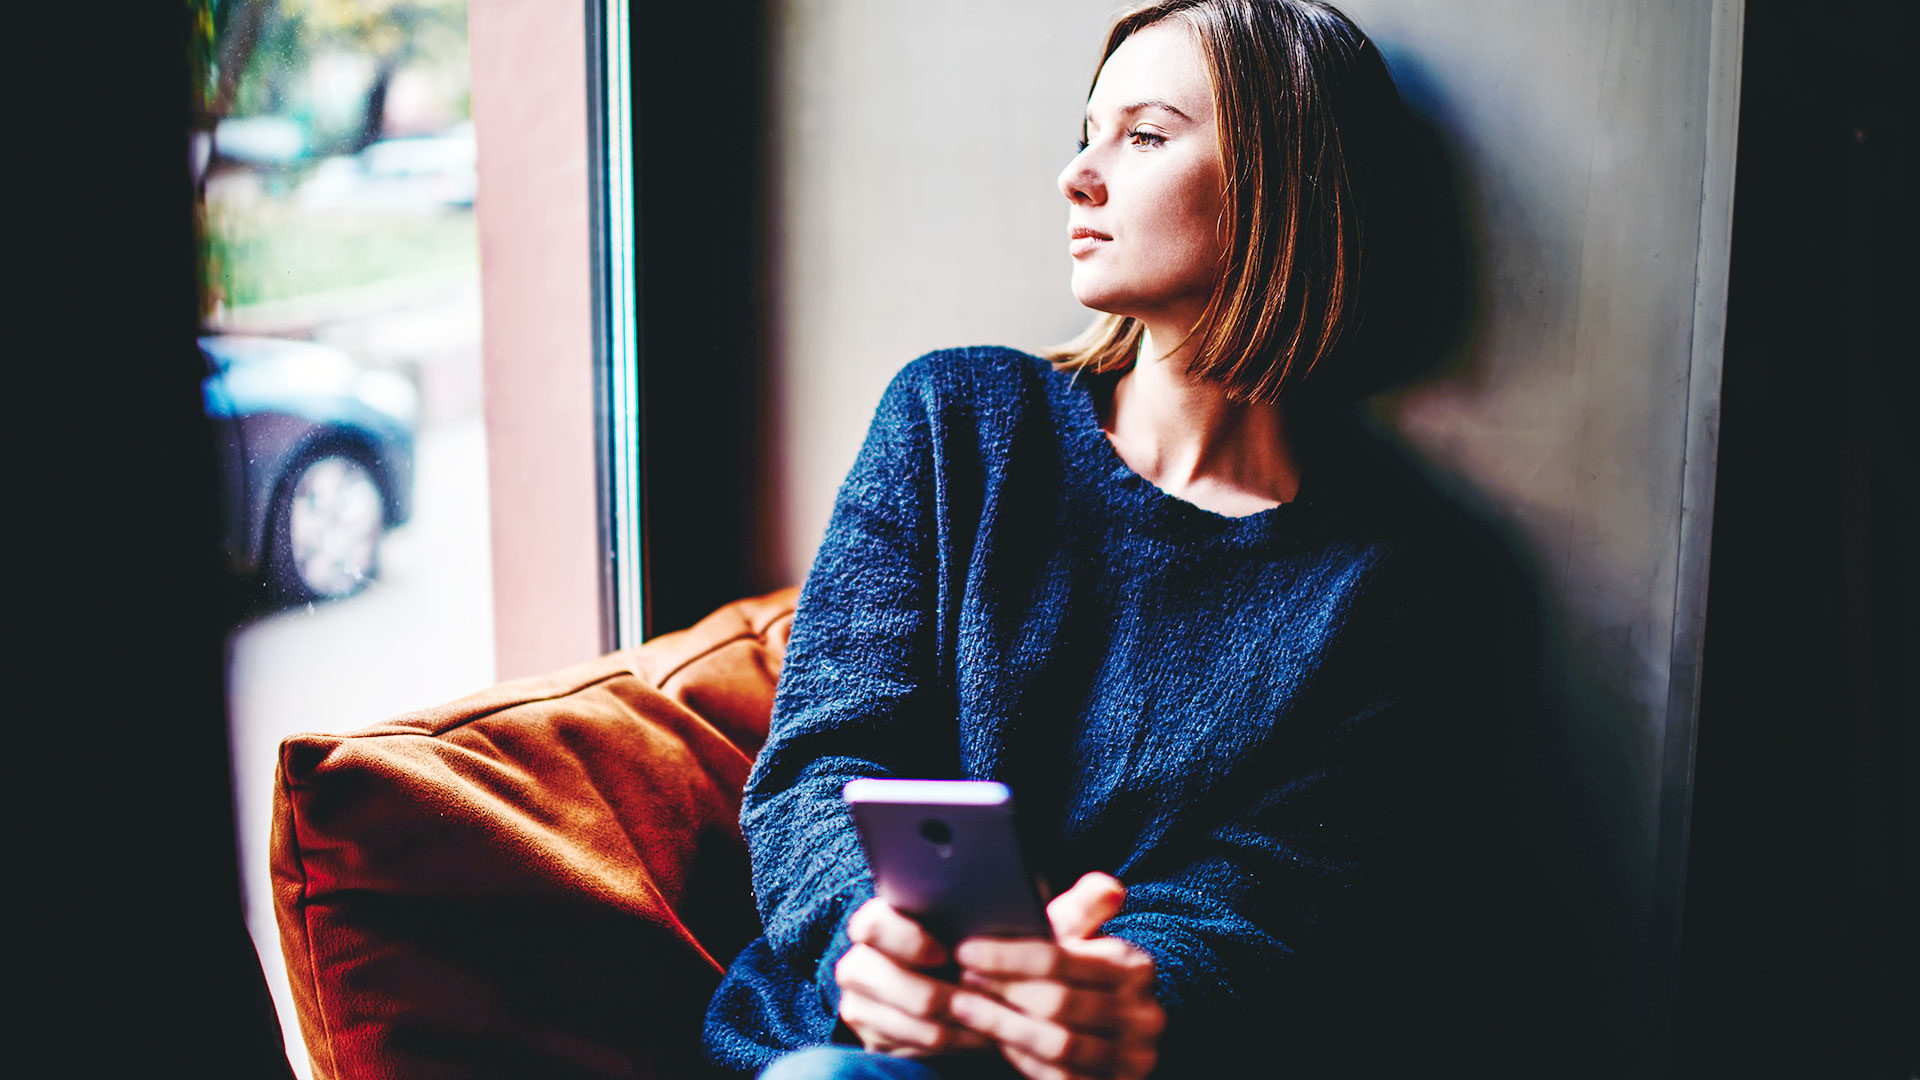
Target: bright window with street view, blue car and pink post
[{"x": 400, "y": 266}]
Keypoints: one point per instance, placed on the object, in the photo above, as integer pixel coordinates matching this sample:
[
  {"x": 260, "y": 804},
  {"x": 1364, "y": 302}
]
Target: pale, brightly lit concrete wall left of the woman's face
[{"x": 915, "y": 209}]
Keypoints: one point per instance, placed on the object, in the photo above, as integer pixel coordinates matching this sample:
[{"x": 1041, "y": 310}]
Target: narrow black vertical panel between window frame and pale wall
[{"x": 700, "y": 74}]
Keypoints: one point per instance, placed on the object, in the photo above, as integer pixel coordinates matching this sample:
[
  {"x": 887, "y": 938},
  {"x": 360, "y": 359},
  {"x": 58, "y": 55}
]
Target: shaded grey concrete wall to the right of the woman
[{"x": 1595, "y": 151}]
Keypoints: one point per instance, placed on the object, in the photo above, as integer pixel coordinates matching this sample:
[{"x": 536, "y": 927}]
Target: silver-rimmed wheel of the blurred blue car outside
[{"x": 325, "y": 528}]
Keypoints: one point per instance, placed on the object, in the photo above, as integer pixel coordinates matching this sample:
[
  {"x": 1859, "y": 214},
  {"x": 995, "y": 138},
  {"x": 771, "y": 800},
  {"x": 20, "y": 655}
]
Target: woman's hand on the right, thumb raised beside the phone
[{"x": 1072, "y": 1008}]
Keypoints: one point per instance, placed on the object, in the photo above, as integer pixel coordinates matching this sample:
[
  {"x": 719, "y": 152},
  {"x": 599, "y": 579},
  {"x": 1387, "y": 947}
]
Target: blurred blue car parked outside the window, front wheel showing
[{"x": 316, "y": 458}]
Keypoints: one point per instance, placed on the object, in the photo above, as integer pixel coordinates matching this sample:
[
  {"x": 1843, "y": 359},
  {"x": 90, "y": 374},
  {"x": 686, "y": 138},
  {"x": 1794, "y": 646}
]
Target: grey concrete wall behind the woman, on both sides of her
[{"x": 915, "y": 153}]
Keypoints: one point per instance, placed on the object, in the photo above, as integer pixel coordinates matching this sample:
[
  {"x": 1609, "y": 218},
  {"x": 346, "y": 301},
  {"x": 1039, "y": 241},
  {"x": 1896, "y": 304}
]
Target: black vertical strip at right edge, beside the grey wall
[{"x": 1798, "y": 952}]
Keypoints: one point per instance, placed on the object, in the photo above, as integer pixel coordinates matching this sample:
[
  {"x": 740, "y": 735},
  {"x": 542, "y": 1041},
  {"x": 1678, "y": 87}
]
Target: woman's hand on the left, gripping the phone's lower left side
[{"x": 888, "y": 998}]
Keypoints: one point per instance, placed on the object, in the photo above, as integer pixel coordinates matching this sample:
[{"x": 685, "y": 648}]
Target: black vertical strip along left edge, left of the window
[{"x": 126, "y": 943}]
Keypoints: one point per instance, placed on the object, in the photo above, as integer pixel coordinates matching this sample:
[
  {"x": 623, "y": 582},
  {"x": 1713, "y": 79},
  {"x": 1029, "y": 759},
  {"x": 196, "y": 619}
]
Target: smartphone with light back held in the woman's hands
[{"x": 946, "y": 854}]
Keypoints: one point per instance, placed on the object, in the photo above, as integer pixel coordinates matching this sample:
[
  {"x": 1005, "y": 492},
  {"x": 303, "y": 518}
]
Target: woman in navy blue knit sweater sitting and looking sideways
[{"x": 1136, "y": 587}]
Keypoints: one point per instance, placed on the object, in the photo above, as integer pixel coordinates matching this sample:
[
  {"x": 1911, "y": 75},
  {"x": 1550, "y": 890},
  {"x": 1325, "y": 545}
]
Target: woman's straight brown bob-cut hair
[{"x": 1307, "y": 114}]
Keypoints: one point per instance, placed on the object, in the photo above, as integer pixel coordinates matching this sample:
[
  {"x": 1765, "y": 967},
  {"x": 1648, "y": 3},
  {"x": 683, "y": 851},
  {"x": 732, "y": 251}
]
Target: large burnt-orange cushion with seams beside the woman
[{"x": 542, "y": 879}]
